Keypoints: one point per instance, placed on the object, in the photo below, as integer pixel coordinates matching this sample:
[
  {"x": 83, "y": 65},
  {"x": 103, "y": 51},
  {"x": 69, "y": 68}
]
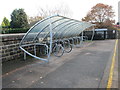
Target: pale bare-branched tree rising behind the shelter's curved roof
[{"x": 61, "y": 9}]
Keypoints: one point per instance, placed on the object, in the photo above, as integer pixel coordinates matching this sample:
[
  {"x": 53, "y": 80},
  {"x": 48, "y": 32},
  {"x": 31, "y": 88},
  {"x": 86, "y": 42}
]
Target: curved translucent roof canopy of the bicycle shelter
[{"x": 54, "y": 27}]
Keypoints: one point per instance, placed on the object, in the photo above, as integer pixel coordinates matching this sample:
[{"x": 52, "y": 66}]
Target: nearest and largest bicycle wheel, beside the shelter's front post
[{"x": 58, "y": 50}]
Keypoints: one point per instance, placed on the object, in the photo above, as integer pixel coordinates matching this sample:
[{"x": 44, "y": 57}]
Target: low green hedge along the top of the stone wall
[{"x": 16, "y": 30}]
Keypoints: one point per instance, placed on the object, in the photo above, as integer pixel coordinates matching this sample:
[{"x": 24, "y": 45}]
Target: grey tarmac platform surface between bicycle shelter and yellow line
[{"x": 86, "y": 67}]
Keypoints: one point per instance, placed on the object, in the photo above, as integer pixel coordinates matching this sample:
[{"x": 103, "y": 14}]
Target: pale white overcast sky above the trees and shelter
[{"x": 79, "y": 8}]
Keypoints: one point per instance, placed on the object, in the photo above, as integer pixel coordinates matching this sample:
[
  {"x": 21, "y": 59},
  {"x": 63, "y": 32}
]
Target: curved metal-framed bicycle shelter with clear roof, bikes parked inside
[{"x": 55, "y": 34}]
